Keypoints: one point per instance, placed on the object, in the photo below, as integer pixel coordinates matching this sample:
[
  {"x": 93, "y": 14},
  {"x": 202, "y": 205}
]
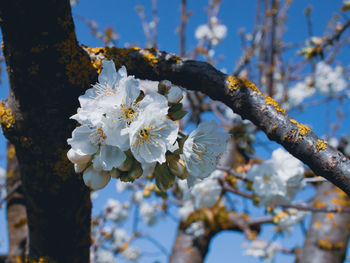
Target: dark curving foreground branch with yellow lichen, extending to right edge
[{"x": 242, "y": 97}]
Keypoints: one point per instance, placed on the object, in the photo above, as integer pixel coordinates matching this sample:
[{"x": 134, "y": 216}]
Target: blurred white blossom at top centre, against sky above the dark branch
[{"x": 214, "y": 32}]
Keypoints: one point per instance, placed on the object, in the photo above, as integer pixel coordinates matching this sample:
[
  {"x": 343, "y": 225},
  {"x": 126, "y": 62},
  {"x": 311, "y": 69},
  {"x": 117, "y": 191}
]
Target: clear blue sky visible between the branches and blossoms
[{"x": 234, "y": 14}]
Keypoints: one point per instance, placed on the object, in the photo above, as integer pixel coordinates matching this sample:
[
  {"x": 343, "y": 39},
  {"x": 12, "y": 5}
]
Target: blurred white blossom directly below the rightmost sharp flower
[{"x": 206, "y": 193}]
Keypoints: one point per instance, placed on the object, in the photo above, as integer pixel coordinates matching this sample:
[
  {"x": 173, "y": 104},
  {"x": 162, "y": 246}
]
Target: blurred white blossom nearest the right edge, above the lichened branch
[{"x": 329, "y": 81}]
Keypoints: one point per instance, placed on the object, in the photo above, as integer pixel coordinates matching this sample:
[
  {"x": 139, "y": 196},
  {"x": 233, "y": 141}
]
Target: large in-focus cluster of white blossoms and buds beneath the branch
[{"x": 125, "y": 133}]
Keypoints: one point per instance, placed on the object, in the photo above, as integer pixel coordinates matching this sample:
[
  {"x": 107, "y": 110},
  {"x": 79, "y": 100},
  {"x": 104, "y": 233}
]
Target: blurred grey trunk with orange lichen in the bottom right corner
[{"x": 328, "y": 234}]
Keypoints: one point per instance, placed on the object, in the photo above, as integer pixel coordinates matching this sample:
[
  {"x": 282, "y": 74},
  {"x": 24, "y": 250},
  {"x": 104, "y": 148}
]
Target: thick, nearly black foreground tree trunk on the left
[{"x": 47, "y": 71}]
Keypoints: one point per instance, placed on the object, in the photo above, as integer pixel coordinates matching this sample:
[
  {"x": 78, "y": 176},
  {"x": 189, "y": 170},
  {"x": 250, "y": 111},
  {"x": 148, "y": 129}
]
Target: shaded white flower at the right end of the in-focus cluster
[{"x": 202, "y": 148}]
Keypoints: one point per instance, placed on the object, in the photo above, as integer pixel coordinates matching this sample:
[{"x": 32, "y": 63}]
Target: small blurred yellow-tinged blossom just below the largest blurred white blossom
[{"x": 290, "y": 218}]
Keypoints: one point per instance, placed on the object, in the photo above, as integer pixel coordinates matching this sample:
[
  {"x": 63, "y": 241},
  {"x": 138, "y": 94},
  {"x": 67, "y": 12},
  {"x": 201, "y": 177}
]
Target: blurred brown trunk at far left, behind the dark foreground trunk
[{"x": 16, "y": 211}]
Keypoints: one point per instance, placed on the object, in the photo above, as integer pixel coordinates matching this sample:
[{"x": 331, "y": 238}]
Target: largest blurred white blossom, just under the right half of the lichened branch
[{"x": 278, "y": 180}]
